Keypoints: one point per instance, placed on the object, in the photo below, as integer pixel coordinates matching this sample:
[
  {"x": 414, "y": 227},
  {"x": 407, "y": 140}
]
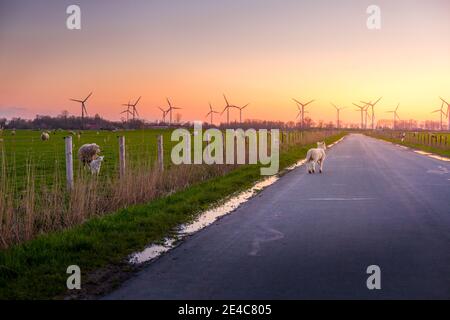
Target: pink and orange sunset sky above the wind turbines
[{"x": 262, "y": 52}]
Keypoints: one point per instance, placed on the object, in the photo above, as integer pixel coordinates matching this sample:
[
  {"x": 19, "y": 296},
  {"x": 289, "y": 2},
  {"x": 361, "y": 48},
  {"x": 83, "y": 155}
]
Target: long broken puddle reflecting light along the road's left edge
[{"x": 208, "y": 217}]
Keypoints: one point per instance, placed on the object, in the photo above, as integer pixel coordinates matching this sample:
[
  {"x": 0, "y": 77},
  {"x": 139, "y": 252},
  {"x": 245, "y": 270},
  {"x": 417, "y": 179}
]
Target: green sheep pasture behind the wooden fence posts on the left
[{"x": 25, "y": 151}]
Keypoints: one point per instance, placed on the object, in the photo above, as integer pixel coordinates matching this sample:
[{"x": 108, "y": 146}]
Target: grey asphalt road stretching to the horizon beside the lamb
[{"x": 313, "y": 236}]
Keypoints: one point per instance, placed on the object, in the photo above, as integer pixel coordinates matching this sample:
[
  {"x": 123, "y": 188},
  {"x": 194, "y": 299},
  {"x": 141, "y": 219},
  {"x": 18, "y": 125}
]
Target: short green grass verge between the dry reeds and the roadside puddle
[{"x": 37, "y": 269}]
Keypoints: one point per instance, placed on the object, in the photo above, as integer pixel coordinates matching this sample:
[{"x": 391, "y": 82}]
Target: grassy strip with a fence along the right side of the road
[{"x": 433, "y": 142}]
